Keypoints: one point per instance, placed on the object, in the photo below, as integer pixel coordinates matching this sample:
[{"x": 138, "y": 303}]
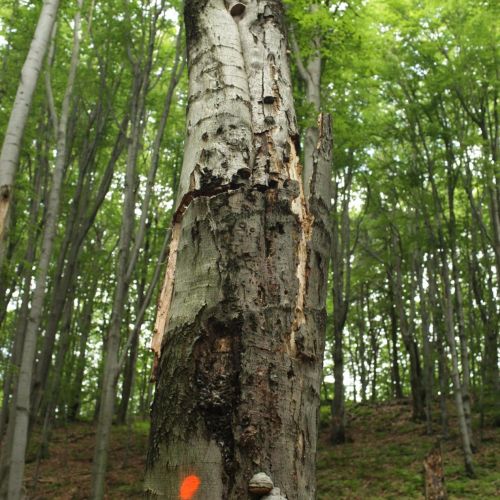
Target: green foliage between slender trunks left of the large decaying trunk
[{"x": 114, "y": 34}]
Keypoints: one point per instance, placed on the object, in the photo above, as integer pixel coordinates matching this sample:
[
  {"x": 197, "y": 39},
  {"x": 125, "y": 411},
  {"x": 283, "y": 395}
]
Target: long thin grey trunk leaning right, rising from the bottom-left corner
[{"x": 22, "y": 408}]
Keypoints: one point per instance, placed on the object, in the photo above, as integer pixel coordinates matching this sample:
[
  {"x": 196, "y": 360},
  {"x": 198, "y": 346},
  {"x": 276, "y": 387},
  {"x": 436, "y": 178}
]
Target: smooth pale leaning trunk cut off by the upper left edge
[{"x": 11, "y": 148}]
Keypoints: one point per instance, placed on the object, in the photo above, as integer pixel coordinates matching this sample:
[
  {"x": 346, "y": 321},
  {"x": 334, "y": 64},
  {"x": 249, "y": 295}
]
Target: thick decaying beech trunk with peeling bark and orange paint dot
[{"x": 241, "y": 317}]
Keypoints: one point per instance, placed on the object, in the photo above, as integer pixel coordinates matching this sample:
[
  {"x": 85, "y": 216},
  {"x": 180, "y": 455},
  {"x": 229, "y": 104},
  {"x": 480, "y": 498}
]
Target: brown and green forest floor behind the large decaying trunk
[{"x": 383, "y": 460}]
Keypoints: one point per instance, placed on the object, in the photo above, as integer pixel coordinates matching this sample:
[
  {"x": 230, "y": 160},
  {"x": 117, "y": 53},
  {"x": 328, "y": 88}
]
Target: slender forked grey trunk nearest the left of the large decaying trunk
[{"x": 128, "y": 256}]
